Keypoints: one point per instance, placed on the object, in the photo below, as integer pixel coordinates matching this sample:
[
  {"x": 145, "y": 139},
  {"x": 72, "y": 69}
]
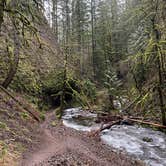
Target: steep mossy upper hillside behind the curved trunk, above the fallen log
[{"x": 39, "y": 55}]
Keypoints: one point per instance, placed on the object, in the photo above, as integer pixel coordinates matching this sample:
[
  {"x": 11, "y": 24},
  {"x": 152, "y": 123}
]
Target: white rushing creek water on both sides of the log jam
[{"x": 143, "y": 143}]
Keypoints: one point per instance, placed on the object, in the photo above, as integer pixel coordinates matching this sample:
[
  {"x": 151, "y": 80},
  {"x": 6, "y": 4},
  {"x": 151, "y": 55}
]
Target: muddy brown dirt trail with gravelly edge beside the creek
[{"x": 62, "y": 146}]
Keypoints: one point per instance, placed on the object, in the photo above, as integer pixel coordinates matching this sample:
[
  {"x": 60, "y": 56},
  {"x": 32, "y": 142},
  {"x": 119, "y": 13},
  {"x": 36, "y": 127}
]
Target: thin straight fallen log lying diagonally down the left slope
[{"x": 31, "y": 111}]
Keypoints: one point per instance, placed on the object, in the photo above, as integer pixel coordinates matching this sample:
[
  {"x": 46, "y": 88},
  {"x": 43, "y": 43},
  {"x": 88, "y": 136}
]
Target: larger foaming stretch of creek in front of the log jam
[{"x": 144, "y": 143}]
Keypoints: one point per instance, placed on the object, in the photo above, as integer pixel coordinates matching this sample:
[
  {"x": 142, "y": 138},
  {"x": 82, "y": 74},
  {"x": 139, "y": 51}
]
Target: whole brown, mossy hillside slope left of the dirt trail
[{"x": 38, "y": 57}]
